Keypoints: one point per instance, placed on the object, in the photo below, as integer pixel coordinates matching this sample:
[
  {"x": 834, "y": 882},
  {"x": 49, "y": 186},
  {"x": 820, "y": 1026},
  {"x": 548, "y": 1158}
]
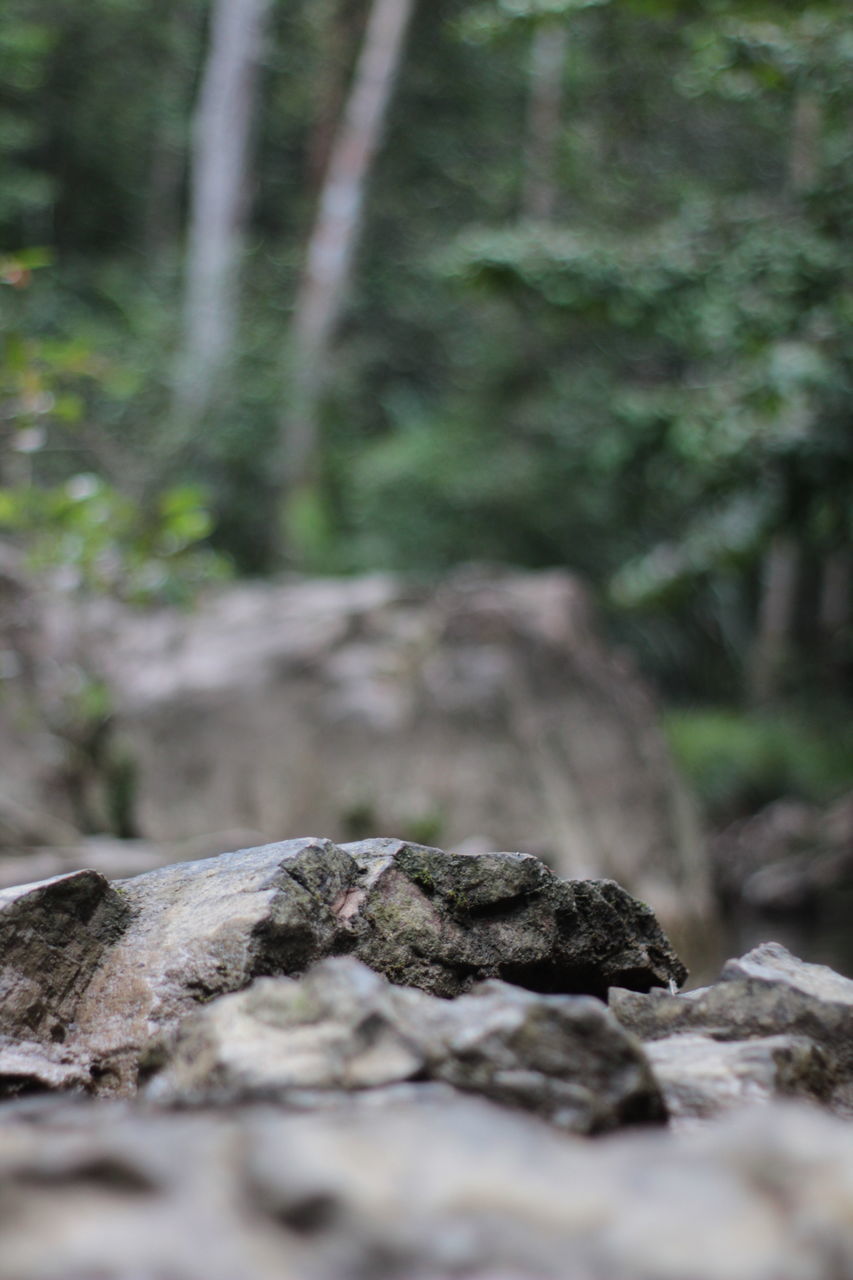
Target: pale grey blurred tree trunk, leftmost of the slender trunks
[{"x": 218, "y": 204}]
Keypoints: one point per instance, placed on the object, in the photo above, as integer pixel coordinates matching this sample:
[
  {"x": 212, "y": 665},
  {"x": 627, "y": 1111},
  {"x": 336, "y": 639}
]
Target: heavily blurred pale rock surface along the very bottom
[{"x": 418, "y": 1190}]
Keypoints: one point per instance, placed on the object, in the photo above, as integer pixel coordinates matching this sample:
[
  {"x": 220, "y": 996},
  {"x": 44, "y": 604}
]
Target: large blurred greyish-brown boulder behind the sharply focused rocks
[{"x": 482, "y": 714}]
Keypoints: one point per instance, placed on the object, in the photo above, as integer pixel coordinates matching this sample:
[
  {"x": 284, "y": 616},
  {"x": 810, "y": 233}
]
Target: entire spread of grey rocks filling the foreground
[{"x": 380, "y": 1062}]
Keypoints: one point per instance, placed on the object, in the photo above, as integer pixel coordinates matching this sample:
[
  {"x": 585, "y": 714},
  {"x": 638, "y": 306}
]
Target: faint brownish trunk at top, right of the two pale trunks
[{"x": 545, "y": 120}]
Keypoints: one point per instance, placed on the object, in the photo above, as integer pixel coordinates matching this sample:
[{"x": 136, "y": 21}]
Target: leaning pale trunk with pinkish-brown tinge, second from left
[{"x": 332, "y": 245}]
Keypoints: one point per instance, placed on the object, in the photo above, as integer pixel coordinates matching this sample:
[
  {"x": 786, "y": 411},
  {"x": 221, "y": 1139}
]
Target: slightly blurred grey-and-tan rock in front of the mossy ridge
[{"x": 346, "y": 1028}]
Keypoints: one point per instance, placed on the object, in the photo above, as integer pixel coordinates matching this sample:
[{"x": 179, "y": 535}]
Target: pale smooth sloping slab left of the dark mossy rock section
[{"x": 202, "y": 930}]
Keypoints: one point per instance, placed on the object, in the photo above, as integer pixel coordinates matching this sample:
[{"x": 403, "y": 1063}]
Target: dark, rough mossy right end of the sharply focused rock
[{"x": 444, "y": 924}]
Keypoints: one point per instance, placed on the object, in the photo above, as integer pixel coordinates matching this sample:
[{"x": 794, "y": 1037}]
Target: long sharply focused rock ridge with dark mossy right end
[{"x": 99, "y": 968}]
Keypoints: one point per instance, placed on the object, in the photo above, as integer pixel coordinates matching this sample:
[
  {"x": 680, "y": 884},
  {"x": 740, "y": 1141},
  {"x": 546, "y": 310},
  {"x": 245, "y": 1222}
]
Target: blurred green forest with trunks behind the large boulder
[{"x": 336, "y": 286}]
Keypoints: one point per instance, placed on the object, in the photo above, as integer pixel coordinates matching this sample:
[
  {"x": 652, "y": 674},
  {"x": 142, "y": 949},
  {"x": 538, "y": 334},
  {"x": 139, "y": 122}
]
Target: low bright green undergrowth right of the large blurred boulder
[{"x": 738, "y": 762}]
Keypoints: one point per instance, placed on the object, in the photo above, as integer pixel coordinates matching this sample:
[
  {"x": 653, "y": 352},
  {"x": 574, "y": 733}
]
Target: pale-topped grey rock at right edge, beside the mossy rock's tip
[{"x": 796, "y": 1020}]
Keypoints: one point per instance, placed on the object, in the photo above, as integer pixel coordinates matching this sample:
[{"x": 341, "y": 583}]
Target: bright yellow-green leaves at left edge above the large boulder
[{"x": 101, "y": 537}]
